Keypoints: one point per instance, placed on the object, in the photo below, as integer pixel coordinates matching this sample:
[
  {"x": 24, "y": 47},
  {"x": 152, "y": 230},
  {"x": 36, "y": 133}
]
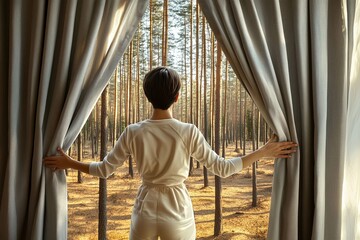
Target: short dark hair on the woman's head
[{"x": 161, "y": 86}]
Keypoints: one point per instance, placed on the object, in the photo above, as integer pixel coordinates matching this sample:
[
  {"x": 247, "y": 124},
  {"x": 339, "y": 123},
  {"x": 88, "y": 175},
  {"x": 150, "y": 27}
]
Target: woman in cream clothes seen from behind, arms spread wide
[{"x": 162, "y": 147}]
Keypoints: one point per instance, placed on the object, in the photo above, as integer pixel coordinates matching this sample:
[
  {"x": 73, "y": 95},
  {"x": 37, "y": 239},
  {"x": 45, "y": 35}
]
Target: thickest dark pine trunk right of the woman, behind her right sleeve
[{"x": 218, "y": 187}]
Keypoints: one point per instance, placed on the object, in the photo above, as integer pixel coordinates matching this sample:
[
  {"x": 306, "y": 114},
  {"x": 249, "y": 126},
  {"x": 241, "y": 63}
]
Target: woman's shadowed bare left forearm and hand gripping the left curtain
[{"x": 64, "y": 161}]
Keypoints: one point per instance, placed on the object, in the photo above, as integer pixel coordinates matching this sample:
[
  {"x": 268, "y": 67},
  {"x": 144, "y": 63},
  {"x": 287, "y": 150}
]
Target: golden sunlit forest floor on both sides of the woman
[{"x": 240, "y": 219}]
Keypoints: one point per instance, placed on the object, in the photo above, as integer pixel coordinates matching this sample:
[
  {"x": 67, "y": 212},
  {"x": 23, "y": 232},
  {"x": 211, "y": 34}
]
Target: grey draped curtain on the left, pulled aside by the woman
[{"x": 56, "y": 57}]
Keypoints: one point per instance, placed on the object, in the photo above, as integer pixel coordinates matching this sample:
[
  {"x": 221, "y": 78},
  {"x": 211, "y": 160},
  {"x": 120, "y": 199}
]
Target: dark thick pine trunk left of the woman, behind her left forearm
[{"x": 102, "y": 182}]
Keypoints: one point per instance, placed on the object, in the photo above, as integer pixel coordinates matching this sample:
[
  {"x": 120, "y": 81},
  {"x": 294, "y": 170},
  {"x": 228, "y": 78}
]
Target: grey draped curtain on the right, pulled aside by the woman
[{"x": 296, "y": 60}]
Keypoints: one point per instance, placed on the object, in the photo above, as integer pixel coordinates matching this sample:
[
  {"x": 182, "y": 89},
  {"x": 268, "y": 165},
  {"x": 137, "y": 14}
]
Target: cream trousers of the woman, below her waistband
[{"x": 163, "y": 212}]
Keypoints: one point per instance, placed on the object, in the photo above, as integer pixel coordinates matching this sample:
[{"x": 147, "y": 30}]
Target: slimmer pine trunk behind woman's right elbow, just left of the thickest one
[{"x": 205, "y": 172}]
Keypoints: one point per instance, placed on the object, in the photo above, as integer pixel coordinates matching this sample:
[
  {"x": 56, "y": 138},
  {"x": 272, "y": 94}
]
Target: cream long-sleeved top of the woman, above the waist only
[{"x": 162, "y": 149}]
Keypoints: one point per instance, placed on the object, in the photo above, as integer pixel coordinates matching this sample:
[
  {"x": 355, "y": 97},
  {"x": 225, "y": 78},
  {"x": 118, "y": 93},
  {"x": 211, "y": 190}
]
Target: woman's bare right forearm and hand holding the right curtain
[{"x": 271, "y": 149}]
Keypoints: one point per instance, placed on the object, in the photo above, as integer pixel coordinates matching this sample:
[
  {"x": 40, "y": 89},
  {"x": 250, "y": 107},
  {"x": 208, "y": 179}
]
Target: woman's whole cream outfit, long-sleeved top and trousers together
[{"x": 162, "y": 150}]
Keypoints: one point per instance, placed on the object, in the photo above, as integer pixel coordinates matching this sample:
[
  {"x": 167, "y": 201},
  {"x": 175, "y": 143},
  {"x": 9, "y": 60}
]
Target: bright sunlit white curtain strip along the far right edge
[{"x": 350, "y": 228}]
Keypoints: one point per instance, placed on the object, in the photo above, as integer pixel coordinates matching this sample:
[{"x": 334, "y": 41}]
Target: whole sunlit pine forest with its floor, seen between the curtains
[{"x": 175, "y": 34}]
